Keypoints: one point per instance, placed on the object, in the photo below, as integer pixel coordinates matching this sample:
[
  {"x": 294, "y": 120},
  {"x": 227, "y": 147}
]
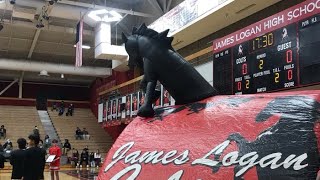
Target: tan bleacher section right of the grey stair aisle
[{"x": 82, "y": 118}]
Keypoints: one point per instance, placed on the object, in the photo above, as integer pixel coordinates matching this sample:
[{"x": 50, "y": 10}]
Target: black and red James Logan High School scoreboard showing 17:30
[{"x": 277, "y": 53}]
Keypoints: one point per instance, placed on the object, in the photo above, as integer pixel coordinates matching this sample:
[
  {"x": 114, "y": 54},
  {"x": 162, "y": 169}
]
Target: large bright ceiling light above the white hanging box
[{"x": 102, "y": 15}]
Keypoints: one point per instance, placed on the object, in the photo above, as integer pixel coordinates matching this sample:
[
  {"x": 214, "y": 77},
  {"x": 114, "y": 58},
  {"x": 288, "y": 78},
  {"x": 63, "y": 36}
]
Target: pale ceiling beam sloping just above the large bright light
[{"x": 92, "y": 6}]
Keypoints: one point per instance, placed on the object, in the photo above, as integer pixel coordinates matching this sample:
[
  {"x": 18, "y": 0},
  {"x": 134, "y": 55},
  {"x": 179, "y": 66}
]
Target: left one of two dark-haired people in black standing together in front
[{"x": 17, "y": 158}]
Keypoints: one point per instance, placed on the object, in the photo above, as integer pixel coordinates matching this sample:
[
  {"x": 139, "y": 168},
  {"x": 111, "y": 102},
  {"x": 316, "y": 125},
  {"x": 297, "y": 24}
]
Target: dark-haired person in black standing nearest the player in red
[{"x": 34, "y": 159}]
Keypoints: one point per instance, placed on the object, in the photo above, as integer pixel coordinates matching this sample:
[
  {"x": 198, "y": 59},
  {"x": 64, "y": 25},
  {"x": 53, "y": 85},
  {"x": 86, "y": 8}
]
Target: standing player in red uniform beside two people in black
[{"x": 55, "y": 164}]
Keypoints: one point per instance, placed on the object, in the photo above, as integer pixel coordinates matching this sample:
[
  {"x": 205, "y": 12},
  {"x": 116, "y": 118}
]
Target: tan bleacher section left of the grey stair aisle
[{"x": 19, "y": 122}]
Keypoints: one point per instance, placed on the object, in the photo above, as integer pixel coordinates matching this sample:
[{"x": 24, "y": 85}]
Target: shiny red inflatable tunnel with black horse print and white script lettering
[{"x": 253, "y": 137}]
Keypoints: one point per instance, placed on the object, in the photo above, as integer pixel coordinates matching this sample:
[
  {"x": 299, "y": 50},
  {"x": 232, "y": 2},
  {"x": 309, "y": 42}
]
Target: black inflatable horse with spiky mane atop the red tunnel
[{"x": 152, "y": 52}]
